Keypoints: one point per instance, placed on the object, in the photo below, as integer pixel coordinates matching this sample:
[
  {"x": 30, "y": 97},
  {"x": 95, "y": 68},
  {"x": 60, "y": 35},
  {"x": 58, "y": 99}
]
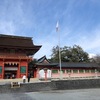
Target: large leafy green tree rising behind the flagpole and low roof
[{"x": 69, "y": 54}]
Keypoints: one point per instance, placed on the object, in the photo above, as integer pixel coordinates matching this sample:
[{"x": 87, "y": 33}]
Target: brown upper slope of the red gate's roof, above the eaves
[{"x": 10, "y": 40}]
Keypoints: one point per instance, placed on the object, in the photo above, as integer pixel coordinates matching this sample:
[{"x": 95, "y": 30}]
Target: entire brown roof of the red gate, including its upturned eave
[{"x": 25, "y": 43}]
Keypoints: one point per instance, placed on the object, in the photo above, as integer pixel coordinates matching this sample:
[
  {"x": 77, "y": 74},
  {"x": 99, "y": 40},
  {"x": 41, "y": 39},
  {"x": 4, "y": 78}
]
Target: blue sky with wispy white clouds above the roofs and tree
[{"x": 79, "y": 23}]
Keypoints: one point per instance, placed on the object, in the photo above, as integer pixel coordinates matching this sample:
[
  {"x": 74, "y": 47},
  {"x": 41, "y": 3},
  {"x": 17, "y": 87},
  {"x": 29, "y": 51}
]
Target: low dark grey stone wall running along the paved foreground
[{"x": 53, "y": 85}]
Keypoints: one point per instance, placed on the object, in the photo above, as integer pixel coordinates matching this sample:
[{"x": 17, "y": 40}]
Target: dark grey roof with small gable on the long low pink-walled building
[{"x": 66, "y": 64}]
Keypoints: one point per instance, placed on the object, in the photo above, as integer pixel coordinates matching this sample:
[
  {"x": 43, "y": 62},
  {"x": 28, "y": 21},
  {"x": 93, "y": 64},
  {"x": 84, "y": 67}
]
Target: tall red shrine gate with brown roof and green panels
[{"x": 15, "y": 54}]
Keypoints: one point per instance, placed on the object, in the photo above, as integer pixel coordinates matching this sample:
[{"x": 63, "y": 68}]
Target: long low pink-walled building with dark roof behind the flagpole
[{"x": 45, "y": 69}]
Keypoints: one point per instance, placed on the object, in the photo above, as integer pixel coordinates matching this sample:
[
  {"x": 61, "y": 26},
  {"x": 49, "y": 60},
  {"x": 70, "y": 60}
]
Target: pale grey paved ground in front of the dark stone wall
[{"x": 81, "y": 94}]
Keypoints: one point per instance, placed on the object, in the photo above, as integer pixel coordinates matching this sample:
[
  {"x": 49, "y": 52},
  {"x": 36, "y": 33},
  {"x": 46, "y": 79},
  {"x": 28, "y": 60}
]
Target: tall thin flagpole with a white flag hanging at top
[{"x": 57, "y": 30}]
